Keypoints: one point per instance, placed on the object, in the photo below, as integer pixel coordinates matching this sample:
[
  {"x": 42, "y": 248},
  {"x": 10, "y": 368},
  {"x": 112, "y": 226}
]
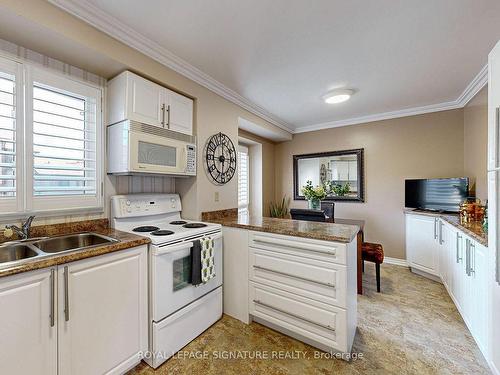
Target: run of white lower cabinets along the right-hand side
[{"x": 462, "y": 265}]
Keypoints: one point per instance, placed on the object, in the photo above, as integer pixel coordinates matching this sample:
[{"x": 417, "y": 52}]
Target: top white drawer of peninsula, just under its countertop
[{"x": 332, "y": 252}]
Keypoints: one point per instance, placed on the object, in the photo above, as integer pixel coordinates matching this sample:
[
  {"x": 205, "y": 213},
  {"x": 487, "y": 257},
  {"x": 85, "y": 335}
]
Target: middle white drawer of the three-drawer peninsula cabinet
[{"x": 324, "y": 282}]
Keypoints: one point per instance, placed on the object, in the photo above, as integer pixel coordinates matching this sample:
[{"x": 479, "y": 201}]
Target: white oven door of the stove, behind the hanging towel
[{"x": 170, "y": 275}]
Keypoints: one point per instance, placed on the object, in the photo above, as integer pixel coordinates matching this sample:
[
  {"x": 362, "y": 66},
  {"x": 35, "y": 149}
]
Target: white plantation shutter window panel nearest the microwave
[{"x": 64, "y": 143}]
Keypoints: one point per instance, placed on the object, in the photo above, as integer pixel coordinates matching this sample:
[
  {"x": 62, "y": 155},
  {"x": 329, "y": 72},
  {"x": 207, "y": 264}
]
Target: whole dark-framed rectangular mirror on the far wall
[{"x": 341, "y": 173}]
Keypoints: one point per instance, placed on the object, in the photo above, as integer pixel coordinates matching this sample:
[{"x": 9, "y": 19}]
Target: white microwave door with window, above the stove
[{"x": 156, "y": 154}]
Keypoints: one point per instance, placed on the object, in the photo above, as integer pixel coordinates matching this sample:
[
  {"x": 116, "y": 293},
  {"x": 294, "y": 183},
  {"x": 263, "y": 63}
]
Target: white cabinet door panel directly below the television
[{"x": 422, "y": 247}]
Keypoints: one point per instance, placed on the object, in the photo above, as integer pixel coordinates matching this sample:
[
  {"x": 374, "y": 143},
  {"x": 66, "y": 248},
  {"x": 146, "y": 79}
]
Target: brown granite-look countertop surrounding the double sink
[{"x": 125, "y": 241}]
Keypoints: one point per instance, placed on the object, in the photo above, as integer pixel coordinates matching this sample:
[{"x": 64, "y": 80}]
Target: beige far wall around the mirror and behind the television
[{"x": 429, "y": 145}]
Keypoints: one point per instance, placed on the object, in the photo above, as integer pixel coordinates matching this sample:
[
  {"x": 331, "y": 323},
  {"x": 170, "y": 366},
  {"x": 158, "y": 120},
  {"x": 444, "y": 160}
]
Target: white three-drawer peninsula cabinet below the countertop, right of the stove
[{"x": 304, "y": 288}]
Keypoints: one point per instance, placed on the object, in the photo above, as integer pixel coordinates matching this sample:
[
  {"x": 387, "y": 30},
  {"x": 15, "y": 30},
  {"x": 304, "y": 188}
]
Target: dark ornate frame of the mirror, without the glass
[{"x": 361, "y": 169}]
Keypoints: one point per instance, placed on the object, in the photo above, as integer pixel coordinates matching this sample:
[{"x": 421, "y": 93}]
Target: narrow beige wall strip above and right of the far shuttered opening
[{"x": 268, "y": 168}]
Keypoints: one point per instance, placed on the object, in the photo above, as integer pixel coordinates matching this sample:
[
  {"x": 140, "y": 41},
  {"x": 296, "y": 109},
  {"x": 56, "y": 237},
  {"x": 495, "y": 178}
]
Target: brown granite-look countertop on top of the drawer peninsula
[{"x": 298, "y": 228}]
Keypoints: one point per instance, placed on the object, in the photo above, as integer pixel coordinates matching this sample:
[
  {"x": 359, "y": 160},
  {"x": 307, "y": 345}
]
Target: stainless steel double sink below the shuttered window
[{"x": 17, "y": 252}]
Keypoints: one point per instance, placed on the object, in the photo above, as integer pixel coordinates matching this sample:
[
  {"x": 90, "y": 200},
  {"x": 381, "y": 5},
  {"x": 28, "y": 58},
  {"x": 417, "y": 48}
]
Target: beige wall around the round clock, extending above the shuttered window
[{"x": 212, "y": 112}]
